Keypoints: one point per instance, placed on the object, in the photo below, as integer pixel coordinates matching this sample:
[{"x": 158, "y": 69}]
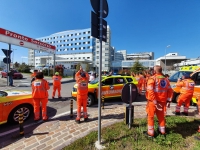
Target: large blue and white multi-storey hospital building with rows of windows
[{"x": 73, "y": 47}]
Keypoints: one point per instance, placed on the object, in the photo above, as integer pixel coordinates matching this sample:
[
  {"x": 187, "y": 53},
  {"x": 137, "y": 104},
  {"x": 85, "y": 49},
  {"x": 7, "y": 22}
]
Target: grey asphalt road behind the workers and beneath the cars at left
[{"x": 56, "y": 107}]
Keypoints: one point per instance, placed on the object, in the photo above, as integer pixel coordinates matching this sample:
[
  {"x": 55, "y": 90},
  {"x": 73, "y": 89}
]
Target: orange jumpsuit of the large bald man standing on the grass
[{"x": 158, "y": 93}]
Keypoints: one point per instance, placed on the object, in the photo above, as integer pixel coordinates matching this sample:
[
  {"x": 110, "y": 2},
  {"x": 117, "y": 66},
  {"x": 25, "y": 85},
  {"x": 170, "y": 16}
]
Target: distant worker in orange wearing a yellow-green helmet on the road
[{"x": 56, "y": 85}]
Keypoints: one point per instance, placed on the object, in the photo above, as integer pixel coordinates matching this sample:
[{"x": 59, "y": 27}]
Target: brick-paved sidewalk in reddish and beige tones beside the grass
[{"x": 58, "y": 133}]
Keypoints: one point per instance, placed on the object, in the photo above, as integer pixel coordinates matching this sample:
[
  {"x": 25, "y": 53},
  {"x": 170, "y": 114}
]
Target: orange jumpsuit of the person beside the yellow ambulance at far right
[{"x": 186, "y": 93}]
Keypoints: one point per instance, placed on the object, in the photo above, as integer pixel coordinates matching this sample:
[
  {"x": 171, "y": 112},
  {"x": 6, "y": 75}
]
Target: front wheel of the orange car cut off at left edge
[{"x": 14, "y": 115}]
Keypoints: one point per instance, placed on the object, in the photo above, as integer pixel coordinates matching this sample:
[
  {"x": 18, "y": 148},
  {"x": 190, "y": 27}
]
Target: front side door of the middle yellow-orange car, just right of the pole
[{"x": 107, "y": 86}]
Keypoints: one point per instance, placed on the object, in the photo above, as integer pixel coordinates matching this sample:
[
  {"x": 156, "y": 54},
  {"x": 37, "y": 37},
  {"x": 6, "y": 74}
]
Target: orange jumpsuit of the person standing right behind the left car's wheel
[{"x": 40, "y": 95}]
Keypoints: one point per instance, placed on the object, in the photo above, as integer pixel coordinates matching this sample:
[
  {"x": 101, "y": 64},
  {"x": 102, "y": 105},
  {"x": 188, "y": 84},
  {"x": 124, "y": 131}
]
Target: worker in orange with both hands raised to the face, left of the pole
[{"x": 82, "y": 79}]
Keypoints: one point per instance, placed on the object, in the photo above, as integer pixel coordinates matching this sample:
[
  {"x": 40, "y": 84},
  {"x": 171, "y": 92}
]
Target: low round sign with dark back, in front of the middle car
[{"x": 126, "y": 93}]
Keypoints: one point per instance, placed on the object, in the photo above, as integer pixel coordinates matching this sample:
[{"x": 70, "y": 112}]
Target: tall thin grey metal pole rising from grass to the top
[{"x": 100, "y": 68}]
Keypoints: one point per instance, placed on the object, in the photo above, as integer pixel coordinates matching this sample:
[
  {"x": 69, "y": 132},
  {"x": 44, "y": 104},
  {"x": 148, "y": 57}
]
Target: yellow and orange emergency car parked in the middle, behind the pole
[{"x": 111, "y": 87}]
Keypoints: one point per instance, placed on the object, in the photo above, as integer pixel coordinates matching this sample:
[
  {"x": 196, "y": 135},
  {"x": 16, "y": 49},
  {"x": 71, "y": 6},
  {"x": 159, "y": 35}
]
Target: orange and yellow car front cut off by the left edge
[{"x": 14, "y": 102}]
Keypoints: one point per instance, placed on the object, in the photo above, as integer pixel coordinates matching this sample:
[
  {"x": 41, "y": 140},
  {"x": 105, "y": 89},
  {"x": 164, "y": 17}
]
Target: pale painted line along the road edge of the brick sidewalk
[{"x": 26, "y": 126}]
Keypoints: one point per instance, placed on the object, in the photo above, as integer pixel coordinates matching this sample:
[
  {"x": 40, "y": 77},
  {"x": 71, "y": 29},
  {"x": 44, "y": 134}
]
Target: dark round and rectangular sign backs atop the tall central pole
[{"x": 96, "y": 19}]
